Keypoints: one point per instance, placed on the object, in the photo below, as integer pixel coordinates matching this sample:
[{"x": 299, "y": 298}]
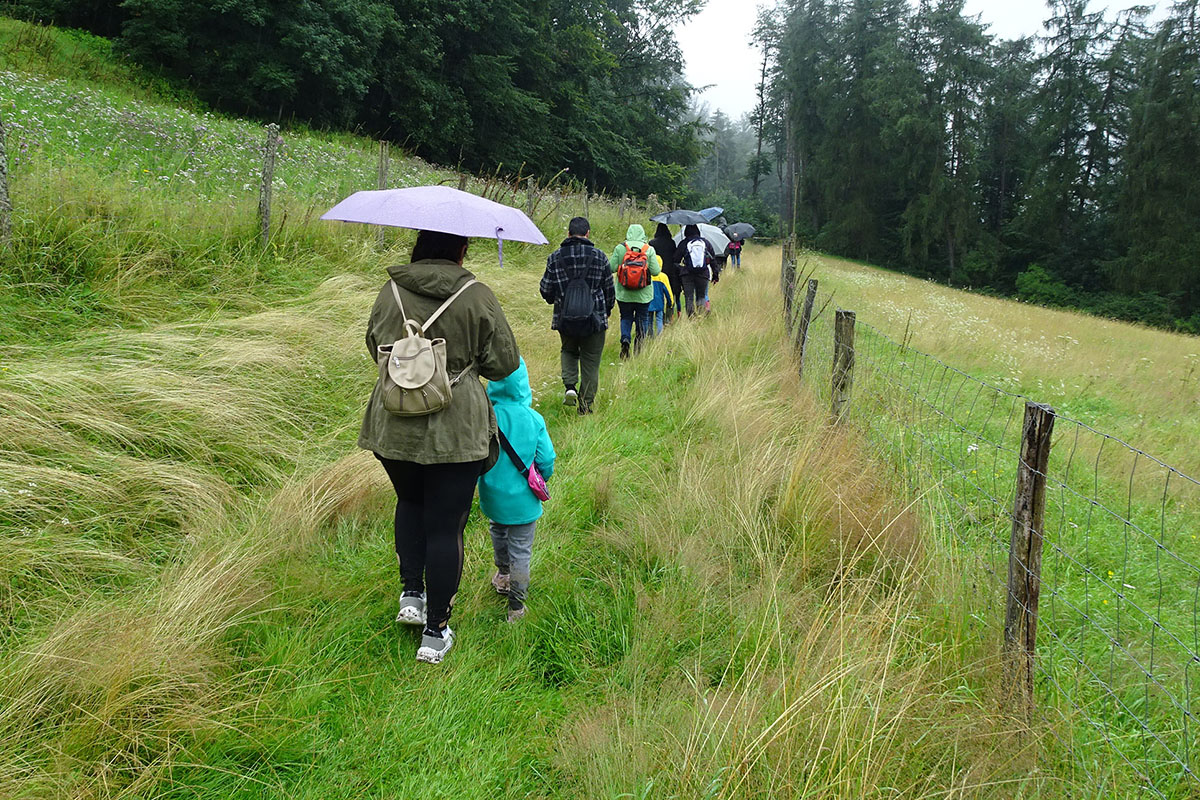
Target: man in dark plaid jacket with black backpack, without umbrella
[{"x": 579, "y": 285}]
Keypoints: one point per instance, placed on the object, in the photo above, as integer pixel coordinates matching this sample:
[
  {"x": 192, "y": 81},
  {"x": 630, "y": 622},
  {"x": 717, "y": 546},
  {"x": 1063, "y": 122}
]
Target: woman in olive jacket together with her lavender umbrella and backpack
[{"x": 434, "y": 332}]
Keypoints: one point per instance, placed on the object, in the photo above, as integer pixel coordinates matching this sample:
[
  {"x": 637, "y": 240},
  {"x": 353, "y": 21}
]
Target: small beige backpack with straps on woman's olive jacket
[{"x": 413, "y": 370}]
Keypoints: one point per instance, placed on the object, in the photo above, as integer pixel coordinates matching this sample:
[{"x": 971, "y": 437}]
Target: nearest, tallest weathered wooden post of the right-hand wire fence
[{"x": 1025, "y": 555}]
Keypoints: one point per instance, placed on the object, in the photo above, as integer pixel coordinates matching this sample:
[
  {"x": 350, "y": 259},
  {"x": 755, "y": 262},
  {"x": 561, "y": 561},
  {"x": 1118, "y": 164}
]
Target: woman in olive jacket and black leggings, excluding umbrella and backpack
[{"x": 435, "y": 460}]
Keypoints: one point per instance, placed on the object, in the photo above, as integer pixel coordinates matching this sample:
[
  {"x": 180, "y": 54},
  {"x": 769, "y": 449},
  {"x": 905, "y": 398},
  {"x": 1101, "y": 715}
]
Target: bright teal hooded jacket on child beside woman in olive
[{"x": 505, "y": 494}]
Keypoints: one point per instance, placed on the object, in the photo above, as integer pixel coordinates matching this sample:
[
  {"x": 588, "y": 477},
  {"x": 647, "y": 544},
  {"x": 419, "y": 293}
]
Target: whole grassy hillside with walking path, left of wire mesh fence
[{"x": 730, "y": 600}]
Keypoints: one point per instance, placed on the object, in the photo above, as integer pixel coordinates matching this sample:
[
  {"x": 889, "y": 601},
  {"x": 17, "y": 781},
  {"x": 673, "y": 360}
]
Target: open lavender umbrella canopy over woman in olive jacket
[{"x": 439, "y": 208}]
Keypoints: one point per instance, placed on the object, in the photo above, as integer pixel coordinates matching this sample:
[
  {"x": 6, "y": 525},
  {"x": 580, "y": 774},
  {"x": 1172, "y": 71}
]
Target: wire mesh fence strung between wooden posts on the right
[{"x": 1118, "y": 641}]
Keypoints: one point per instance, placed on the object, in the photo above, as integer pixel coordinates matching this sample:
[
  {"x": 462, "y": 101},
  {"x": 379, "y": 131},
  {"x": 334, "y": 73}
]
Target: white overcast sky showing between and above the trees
[{"x": 718, "y": 50}]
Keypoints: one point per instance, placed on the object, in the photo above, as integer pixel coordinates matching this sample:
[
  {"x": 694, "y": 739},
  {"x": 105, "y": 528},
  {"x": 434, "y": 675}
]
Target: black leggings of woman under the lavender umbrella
[{"x": 433, "y": 503}]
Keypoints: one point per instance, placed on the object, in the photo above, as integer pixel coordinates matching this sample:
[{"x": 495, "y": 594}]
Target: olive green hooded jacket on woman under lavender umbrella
[{"x": 476, "y": 330}]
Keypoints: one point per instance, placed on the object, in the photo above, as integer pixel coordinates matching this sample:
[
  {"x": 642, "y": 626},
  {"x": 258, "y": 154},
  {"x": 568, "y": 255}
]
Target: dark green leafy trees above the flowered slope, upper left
[{"x": 536, "y": 86}]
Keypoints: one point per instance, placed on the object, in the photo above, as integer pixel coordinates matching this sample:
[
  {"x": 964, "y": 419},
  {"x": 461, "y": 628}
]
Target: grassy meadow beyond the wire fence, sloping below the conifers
[{"x": 1118, "y": 621}]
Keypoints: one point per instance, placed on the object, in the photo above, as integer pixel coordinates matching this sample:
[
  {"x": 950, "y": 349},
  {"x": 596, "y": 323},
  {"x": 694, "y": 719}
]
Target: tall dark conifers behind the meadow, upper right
[{"x": 1061, "y": 169}]
